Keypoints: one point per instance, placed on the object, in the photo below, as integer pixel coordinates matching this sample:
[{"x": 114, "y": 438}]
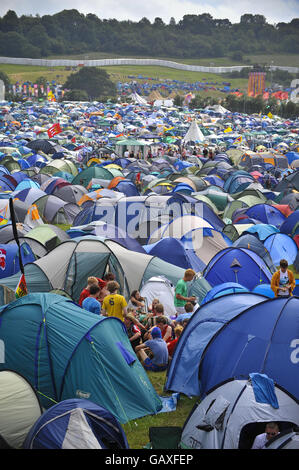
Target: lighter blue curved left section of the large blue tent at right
[{"x": 205, "y": 323}]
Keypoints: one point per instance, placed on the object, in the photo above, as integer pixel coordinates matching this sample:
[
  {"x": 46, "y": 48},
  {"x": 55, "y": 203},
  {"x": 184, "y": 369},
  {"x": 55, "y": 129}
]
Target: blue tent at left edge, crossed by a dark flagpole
[{"x": 9, "y": 258}]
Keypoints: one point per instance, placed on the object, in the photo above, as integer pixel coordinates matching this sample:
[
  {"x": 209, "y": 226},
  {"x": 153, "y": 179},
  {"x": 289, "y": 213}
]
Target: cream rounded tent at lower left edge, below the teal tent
[{"x": 19, "y": 406}]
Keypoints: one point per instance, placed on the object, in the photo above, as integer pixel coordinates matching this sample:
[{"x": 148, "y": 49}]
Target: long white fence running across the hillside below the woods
[{"x": 111, "y": 62}]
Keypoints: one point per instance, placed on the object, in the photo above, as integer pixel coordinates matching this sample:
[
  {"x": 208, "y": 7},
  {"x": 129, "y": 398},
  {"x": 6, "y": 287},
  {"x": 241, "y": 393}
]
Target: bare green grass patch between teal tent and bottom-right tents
[{"x": 137, "y": 431}]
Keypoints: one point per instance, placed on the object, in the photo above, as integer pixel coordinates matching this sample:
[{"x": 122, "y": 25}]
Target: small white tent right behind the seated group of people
[{"x": 160, "y": 288}]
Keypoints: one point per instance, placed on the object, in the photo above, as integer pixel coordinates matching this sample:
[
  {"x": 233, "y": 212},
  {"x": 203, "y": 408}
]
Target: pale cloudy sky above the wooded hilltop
[{"x": 275, "y": 11}]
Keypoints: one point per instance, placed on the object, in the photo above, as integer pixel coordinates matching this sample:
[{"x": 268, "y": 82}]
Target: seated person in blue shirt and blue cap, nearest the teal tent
[{"x": 158, "y": 350}]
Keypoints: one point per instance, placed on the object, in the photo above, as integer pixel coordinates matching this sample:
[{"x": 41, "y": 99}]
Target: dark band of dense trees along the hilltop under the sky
[{"x": 194, "y": 36}]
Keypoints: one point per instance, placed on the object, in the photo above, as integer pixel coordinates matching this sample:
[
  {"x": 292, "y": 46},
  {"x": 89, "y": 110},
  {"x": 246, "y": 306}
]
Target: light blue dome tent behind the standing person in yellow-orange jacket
[{"x": 281, "y": 246}]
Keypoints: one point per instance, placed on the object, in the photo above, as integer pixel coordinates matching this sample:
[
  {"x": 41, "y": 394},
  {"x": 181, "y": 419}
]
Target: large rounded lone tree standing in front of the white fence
[{"x": 95, "y": 81}]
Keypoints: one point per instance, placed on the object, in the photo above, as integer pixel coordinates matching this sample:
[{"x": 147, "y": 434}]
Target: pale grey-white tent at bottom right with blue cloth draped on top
[{"x": 235, "y": 412}]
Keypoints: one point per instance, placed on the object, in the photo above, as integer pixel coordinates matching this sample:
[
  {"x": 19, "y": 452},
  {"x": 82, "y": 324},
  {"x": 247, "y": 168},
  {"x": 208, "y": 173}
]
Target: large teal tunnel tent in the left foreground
[{"x": 67, "y": 352}]
